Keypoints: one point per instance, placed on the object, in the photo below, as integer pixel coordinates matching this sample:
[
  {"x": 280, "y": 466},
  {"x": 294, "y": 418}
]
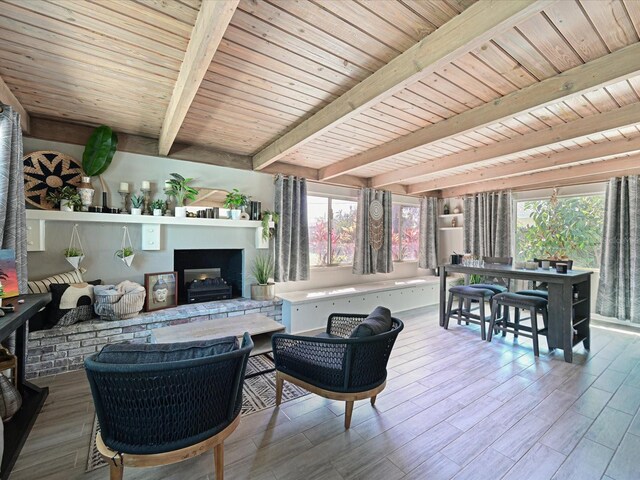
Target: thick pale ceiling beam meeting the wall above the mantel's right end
[{"x": 465, "y": 32}]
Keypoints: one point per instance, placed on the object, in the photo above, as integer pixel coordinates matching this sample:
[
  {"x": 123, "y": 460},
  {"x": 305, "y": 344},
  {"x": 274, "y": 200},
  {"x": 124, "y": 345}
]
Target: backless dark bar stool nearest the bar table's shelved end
[{"x": 519, "y": 302}]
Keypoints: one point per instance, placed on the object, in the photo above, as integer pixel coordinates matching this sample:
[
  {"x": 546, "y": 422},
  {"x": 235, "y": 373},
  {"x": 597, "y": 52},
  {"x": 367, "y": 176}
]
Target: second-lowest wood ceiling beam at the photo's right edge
[{"x": 518, "y": 167}]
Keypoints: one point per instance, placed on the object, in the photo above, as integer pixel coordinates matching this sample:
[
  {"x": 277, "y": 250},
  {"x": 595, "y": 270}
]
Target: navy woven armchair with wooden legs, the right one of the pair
[{"x": 336, "y": 364}]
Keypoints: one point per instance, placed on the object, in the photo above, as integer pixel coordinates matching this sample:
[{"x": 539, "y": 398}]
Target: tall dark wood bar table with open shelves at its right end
[{"x": 568, "y": 317}]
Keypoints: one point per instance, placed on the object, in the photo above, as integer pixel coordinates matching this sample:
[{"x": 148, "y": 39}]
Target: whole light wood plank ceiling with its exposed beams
[{"x": 551, "y": 87}]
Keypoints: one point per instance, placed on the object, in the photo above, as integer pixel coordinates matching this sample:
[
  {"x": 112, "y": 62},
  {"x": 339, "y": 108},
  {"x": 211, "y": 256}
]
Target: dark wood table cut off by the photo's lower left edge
[{"x": 17, "y": 429}]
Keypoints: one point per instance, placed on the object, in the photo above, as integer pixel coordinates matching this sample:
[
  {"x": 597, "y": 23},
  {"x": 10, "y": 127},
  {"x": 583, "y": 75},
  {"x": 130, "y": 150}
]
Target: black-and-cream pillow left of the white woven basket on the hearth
[{"x": 71, "y": 303}]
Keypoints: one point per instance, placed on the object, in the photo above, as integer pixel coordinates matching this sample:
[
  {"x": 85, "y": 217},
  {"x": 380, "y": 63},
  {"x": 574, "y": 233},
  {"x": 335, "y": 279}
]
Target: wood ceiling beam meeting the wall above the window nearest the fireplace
[{"x": 598, "y": 73}]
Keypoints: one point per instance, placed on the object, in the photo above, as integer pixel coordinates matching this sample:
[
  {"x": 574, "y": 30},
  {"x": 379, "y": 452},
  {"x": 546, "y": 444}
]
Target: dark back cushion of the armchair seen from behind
[{"x": 135, "y": 353}]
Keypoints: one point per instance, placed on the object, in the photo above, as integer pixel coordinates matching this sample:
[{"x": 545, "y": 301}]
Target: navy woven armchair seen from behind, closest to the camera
[{"x": 163, "y": 403}]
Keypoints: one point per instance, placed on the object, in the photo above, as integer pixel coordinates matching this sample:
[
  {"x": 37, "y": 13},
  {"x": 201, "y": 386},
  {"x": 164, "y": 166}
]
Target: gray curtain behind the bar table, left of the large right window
[{"x": 487, "y": 224}]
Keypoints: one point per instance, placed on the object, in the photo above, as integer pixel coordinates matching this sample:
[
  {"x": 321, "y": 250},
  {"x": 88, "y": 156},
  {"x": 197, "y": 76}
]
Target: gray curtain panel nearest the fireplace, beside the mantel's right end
[{"x": 292, "y": 231}]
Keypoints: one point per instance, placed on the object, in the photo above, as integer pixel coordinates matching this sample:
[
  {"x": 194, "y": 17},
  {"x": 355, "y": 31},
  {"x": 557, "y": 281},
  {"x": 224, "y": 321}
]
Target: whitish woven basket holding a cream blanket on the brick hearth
[{"x": 119, "y": 302}]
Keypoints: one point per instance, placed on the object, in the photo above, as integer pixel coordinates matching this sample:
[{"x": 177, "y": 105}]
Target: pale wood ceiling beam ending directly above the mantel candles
[{"x": 211, "y": 23}]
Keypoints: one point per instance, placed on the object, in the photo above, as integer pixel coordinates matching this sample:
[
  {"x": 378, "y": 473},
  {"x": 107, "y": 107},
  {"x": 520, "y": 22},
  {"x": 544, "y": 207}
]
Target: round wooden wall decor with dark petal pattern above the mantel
[{"x": 44, "y": 171}]
